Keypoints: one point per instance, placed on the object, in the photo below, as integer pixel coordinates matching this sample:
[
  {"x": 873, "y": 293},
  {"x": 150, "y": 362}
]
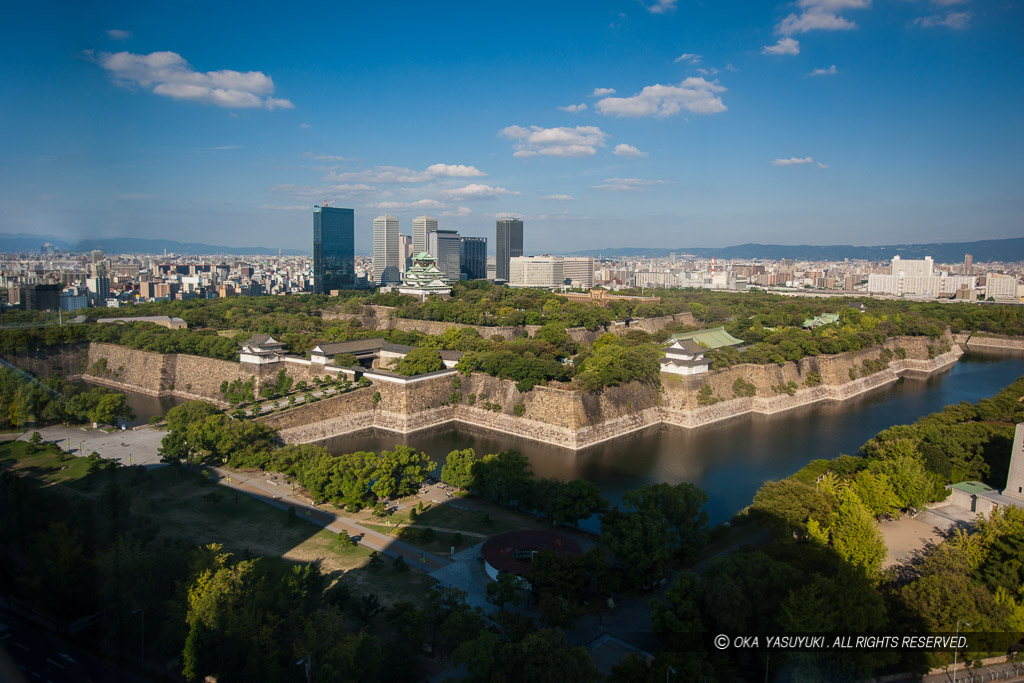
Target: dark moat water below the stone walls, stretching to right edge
[{"x": 729, "y": 460}]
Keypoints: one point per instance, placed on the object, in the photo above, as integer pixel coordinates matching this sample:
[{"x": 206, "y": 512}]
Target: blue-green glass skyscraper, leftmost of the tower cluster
[{"x": 334, "y": 249}]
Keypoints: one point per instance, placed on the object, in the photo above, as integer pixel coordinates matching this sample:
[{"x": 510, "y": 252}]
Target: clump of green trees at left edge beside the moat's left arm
[{"x": 26, "y": 401}]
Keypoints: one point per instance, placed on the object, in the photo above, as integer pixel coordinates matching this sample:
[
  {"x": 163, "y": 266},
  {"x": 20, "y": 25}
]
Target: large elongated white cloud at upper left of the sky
[{"x": 169, "y": 75}]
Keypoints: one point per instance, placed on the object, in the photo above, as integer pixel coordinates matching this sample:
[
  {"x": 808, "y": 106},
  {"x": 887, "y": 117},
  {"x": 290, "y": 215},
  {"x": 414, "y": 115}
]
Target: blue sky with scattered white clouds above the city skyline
[{"x": 603, "y": 124}]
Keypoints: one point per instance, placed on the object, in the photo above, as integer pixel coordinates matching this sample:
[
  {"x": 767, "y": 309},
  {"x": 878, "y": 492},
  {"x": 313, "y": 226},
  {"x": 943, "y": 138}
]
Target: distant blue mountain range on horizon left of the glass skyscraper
[{"x": 23, "y": 243}]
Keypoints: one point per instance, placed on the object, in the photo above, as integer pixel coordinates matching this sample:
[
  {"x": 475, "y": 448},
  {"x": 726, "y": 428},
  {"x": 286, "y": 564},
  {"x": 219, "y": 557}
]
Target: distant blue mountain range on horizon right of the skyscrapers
[{"x": 943, "y": 252}]
